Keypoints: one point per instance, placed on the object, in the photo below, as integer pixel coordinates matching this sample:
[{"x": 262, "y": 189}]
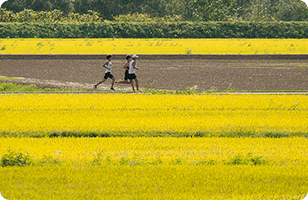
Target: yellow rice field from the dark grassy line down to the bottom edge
[{"x": 157, "y": 168}]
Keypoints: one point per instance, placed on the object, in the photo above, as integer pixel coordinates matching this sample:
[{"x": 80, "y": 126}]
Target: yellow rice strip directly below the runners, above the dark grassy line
[{"x": 149, "y": 115}]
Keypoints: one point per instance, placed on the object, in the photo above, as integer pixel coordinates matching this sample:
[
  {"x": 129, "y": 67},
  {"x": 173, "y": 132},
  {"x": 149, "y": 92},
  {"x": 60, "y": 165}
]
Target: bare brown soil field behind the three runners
[{"x": 216, "y": 73}]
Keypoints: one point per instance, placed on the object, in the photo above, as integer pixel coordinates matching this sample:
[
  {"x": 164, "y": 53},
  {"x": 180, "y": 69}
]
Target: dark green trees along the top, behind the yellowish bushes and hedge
[{"x": 189, "y": 10}]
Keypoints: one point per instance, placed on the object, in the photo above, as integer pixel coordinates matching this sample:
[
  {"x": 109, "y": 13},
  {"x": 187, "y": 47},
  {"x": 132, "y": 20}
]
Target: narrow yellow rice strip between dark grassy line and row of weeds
[{"x": 164, "y": 151}]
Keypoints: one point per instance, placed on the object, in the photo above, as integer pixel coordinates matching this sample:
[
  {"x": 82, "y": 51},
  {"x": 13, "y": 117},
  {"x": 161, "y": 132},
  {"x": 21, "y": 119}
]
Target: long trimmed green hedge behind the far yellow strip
[{"x": 156, "y": 30}]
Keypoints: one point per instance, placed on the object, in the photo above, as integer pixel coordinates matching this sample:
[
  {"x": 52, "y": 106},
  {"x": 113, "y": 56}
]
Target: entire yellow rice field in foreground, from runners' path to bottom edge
[{"x": 153, "y": 167}]
